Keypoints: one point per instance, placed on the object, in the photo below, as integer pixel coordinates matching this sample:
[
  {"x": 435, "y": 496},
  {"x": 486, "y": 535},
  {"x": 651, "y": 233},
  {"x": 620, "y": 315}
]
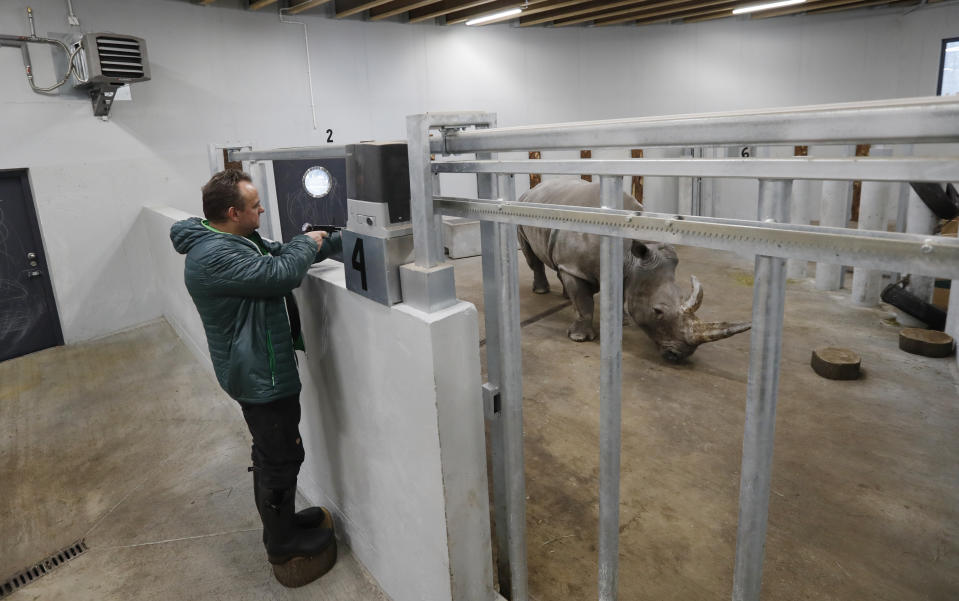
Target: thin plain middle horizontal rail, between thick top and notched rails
[{"x": 884, "y": 169}]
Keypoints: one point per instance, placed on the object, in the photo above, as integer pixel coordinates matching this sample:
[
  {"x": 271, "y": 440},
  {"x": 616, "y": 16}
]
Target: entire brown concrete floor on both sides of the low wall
[{"x": 127, "y": 442}]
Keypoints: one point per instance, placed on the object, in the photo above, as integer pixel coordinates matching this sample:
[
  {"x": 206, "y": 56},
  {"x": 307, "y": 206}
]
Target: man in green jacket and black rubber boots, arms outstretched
[{"x": 242, "y": 287}]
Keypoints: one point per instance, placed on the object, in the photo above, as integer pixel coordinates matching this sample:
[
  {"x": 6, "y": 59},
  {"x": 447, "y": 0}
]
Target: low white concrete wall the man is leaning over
[{"x": 392, "y": 424}]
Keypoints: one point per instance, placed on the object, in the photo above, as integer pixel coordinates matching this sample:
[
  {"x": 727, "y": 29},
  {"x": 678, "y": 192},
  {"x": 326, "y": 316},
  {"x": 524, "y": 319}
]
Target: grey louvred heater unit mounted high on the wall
[{"x": 108, "y": 61}]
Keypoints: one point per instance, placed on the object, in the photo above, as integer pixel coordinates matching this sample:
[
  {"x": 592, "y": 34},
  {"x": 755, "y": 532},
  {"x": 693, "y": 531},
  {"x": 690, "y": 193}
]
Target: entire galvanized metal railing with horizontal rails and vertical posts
[{"x": 920, "y": 120}]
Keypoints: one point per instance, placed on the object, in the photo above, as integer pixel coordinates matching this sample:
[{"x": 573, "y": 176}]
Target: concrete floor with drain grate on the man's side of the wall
[{"x": 128, "y": 443}]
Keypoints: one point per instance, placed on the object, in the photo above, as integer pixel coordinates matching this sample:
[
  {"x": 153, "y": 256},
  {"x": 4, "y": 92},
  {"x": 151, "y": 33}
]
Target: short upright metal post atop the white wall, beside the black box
[{"x": 427, "y": 226}]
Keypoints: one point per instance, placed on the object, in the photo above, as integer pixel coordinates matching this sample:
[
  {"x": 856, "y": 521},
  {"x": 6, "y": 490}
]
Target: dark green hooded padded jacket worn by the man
[{"x": 239, "y": 286}]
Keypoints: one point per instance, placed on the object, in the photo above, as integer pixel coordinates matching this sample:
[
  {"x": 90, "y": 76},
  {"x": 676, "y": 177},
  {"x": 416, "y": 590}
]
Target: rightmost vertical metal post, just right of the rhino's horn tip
[{"x": 769, "y": 293}]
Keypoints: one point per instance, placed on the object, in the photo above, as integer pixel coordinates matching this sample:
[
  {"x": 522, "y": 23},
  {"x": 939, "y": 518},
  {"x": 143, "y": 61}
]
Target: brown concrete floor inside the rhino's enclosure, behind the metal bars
[{"x": 865, "y": 501}]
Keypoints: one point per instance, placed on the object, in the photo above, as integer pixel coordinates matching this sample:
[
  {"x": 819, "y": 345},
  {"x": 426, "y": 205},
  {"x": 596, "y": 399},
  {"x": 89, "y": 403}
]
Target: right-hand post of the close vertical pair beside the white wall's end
[{"x": 511, "y": 393}]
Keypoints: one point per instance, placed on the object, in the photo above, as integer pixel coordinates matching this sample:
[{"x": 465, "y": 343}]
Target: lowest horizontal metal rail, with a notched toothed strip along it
[{"x": 889, "y": 251}]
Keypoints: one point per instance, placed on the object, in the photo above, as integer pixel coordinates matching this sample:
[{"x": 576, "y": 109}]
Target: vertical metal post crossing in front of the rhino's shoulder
[{"x": 610, "y": 393}]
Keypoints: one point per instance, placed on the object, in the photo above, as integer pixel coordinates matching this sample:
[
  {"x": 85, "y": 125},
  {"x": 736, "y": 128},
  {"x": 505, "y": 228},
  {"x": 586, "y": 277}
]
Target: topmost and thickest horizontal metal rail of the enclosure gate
[{"x": 903, "y": 121}]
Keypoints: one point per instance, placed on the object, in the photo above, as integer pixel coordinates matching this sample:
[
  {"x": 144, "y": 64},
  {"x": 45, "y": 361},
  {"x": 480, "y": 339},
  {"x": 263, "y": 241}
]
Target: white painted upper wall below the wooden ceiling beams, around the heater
[{"x": 222, "y": 74}]
